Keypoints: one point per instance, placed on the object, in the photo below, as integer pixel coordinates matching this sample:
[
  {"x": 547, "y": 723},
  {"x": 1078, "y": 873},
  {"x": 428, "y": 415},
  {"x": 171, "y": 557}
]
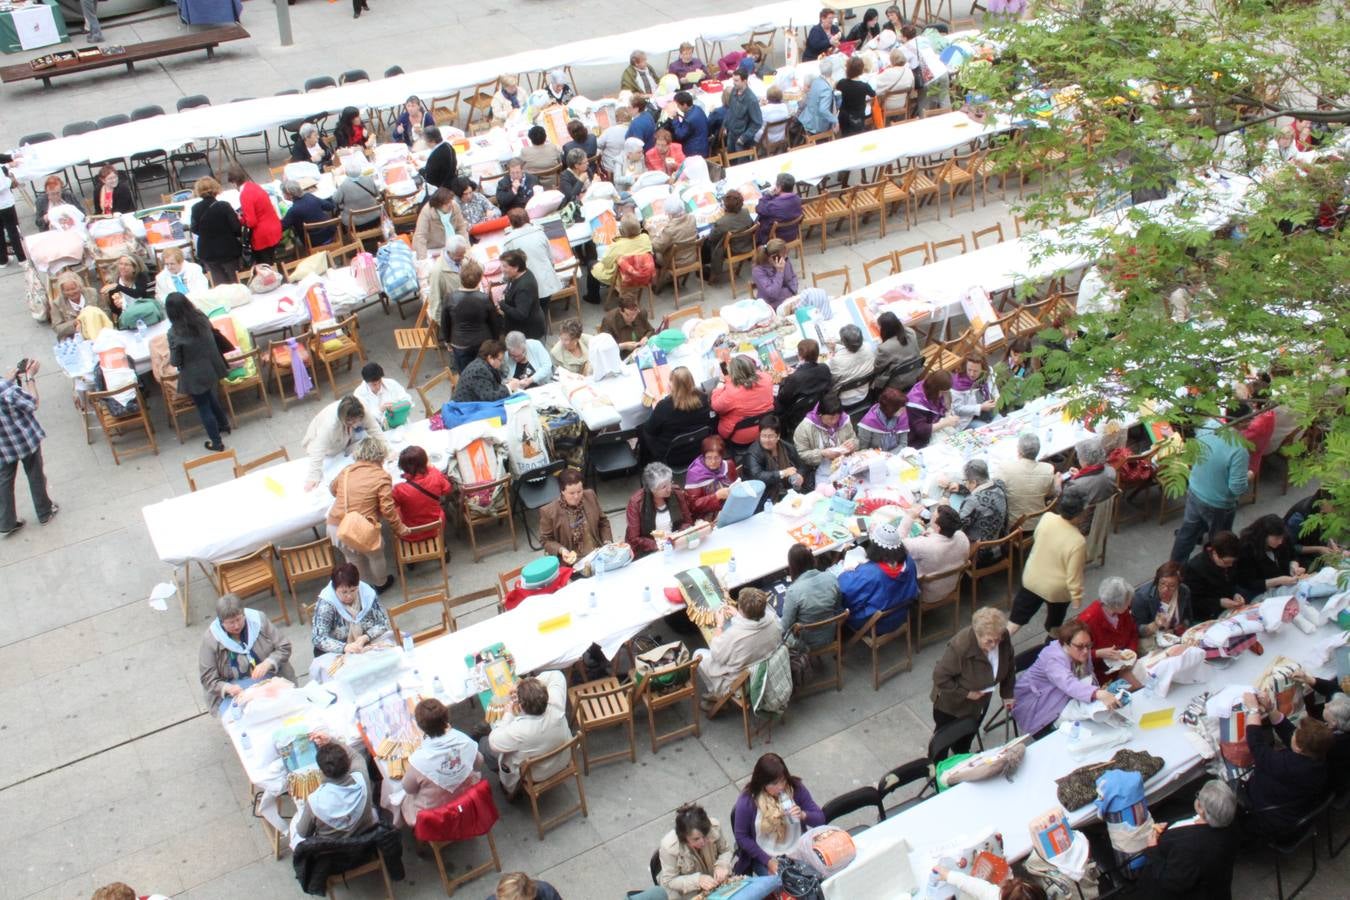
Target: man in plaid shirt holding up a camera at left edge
[{"x": 21, "y": 442}]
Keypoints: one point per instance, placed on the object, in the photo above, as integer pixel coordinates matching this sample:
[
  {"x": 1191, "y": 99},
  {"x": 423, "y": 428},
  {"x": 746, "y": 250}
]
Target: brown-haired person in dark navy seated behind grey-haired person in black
[{"x": 1287, "y": 783}]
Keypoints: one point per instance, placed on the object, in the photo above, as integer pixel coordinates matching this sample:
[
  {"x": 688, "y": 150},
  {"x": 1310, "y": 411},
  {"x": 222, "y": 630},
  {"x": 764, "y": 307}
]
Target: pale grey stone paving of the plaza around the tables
[{"x": 113, "y": 767}]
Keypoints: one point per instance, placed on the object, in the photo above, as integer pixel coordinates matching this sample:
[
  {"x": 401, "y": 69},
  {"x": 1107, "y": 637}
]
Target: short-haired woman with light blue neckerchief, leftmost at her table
[{"x": 241, "y": 647}]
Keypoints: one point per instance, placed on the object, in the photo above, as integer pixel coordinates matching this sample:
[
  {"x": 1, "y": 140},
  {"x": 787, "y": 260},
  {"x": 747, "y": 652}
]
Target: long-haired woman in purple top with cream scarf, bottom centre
[{"x": 765, "y": 829}]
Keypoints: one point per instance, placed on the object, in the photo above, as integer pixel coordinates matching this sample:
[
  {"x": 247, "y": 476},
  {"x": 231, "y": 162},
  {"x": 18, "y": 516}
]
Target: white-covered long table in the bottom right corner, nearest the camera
[{"x": 1009, "y": 806}]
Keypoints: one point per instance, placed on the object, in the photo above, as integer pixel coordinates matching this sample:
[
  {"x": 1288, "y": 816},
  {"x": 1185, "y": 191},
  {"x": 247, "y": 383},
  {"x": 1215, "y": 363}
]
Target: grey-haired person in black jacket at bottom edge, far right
[{"x": 1194, "y": 859}]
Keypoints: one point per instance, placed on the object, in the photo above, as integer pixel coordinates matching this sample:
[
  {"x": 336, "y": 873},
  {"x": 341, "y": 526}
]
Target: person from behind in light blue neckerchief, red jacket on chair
[{"x": 445, "y": 766}]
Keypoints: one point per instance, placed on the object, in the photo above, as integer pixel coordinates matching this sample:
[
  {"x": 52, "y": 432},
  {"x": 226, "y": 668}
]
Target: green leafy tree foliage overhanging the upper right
[{"x": 1150, "y": 96}]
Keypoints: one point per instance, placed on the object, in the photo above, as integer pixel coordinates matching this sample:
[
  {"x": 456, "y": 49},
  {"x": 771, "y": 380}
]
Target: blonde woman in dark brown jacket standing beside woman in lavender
[{"x": 978, "y": 660}]
